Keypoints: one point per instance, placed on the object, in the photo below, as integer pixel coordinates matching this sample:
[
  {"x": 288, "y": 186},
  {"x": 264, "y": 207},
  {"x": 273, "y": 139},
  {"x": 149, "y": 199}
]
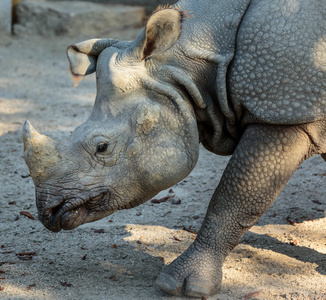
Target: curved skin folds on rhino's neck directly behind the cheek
[{"x": 182, "y": 89}]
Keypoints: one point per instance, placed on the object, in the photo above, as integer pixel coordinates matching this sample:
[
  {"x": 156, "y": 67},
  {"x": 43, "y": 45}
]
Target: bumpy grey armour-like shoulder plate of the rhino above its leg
[{"x": 278, "y": 74}]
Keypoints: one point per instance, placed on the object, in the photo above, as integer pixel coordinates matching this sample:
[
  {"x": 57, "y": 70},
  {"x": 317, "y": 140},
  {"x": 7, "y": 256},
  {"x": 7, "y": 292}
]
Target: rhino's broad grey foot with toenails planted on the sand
[{"x": 195, "y": 273}]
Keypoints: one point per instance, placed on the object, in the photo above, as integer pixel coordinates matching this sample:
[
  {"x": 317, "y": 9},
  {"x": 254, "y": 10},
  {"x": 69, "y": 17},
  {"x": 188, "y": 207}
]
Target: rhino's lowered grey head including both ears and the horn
[{"x": 140, "y": 138}]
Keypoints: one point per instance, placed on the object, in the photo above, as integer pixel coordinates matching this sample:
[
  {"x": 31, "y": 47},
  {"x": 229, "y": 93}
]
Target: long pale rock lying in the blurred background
[{"x": 75, "y": 18}]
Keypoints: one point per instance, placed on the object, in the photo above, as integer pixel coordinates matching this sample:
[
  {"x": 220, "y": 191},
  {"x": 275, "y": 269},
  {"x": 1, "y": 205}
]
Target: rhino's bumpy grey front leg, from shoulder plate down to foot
[{"x": 263, "y": 162}]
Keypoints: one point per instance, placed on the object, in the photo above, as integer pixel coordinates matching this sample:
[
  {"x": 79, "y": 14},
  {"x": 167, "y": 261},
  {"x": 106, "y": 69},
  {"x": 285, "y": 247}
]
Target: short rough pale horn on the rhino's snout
[{"x": 40, "y": 152}]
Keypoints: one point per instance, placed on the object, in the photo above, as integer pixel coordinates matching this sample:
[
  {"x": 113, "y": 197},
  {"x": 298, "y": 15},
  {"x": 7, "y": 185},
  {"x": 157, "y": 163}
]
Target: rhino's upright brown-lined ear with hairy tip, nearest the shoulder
[{"x": 162, "y": 31}]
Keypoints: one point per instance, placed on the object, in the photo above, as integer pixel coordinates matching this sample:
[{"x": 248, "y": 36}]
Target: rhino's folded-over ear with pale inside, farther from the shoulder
[{"x": 82, "y": 57}]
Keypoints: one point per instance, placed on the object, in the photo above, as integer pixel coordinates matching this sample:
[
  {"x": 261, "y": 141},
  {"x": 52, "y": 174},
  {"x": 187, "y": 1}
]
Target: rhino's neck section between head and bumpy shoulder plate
[{"x": 209, "y": 40}]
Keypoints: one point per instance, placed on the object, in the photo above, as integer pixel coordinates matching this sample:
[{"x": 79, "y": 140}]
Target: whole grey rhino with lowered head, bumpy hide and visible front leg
[{"x": 246, "y": 78}]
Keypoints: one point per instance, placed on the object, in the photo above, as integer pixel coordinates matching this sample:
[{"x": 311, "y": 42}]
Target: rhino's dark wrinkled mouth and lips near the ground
[{"x": 71, "y": 212}]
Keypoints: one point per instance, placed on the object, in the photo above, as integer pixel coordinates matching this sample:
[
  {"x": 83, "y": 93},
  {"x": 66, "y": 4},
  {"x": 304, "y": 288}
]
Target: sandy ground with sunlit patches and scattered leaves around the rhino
[{"x": 282, "y": 257}]
